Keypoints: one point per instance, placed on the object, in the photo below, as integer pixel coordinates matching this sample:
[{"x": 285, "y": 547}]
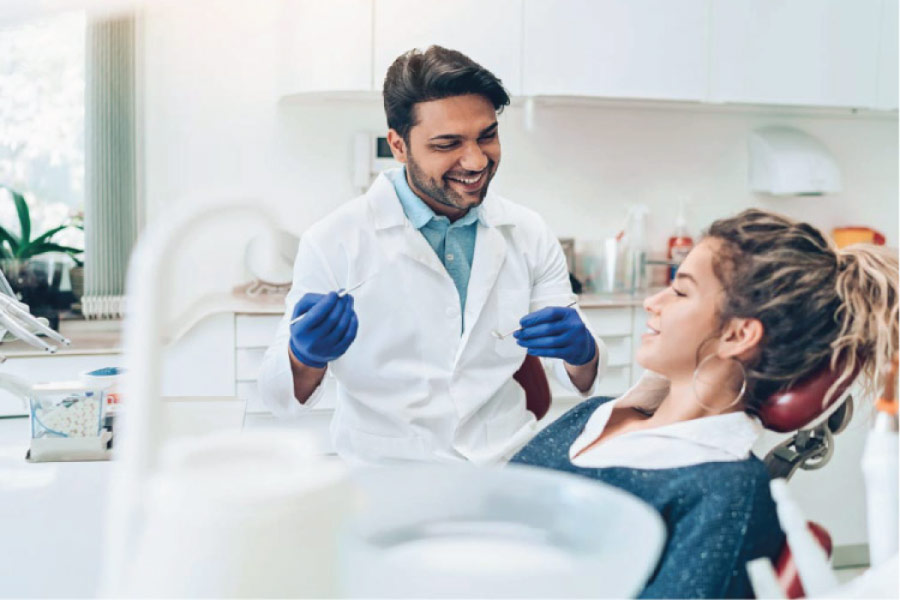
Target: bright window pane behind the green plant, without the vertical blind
[{"x": 42, "y": 82}]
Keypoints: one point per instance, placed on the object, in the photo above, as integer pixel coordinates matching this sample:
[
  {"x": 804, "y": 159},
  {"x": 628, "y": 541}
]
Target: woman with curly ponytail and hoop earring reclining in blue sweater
[{"x": 761, "y": 302}]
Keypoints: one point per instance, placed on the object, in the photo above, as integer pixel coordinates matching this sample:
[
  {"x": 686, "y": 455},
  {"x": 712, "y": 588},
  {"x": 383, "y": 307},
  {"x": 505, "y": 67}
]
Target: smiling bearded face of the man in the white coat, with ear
[{"x": 452, "y": 153}]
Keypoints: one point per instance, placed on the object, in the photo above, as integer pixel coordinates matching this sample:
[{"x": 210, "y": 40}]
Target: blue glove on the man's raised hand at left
[{"x": 326, "y": 331}]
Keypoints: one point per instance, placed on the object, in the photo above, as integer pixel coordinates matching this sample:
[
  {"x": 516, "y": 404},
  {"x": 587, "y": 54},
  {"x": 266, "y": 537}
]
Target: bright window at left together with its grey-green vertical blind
[{"x": 68, "y": 140}]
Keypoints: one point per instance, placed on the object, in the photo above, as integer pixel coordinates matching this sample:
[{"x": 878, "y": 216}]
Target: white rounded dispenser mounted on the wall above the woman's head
[{"x": 789, "y": 162}]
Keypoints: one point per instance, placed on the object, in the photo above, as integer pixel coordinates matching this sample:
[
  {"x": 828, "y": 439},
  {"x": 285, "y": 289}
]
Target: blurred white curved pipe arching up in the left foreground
[{"x": 139, "y": 435}]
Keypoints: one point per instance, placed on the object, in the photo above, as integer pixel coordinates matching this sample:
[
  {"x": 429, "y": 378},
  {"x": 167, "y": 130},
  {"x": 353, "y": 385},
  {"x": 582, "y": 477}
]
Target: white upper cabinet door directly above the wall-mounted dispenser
[{"x": 806, "y": 52}]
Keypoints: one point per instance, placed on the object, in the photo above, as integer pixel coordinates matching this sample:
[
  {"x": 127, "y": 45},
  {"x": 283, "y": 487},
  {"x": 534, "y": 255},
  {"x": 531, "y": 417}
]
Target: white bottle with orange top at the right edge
[{"x": 880, "y": 467}]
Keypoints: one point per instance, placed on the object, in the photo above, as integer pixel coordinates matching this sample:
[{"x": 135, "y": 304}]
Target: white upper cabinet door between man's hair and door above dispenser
[{"x": 616, "y": 48}]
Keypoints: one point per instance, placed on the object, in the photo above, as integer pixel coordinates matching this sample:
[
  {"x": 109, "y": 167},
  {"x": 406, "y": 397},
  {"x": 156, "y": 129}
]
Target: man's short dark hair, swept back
[{"x": 436, "y": 73}]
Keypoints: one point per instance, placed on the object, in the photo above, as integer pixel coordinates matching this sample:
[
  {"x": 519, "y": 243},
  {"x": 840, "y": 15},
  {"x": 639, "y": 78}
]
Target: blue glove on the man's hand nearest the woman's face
[{"x": 557, "y": 332}]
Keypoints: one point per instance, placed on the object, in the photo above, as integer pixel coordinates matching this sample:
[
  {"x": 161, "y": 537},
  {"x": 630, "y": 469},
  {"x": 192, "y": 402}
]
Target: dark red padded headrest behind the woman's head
[{"x": 801, "y": 404}]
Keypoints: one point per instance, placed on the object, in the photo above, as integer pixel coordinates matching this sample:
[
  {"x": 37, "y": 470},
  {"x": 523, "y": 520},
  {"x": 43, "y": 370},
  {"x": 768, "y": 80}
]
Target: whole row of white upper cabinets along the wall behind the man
[{"x": 821, "y": 53}]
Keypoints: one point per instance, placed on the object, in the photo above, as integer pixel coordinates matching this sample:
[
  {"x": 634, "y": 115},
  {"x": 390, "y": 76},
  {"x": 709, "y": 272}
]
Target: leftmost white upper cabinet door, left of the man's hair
[{"x": 326, "y": 46}]
